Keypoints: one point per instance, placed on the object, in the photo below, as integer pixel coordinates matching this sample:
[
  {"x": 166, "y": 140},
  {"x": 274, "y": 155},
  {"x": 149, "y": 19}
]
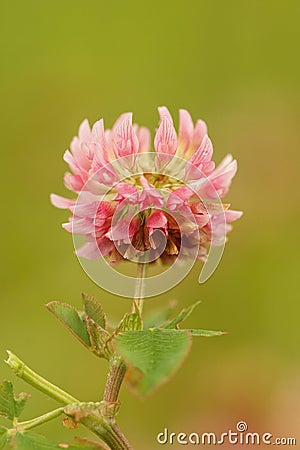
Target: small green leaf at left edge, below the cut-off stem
[{"x": 11, "y": 406}]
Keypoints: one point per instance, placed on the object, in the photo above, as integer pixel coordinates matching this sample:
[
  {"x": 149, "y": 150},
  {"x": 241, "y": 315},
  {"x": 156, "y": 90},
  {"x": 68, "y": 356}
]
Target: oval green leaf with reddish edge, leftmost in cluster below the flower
[{"x": 70, "y": 317}]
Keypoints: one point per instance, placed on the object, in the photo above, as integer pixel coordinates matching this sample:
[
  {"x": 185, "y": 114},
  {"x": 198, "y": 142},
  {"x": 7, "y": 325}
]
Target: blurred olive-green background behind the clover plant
[{"x": 235, "y": 65}]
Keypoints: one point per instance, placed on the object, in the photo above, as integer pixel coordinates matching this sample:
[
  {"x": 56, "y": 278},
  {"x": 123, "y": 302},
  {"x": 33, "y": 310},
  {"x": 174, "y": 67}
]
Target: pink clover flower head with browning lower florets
[{"x": 132, "y": 201}]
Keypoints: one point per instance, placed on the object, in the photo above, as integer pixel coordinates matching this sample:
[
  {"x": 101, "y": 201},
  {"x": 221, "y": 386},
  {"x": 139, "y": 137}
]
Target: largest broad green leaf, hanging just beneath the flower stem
[{"x": 156, "y": 352}]
